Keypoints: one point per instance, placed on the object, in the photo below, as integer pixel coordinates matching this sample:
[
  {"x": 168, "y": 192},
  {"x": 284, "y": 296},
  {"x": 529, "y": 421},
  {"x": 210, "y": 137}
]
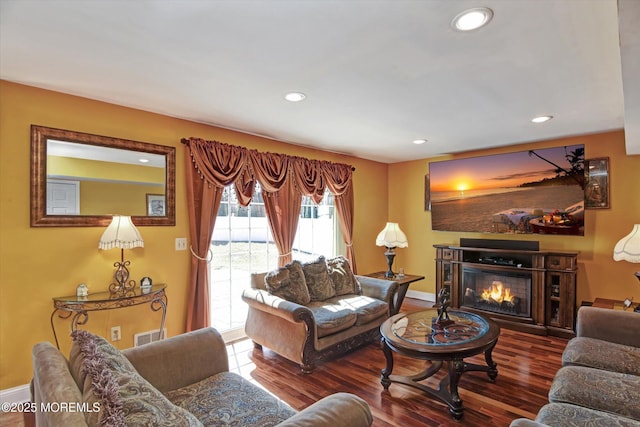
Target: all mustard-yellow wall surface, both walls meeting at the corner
[{"x": 37, "y": 264}]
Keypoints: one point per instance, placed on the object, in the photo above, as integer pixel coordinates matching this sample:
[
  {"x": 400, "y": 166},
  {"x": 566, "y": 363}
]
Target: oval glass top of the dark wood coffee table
[{"x": 419, "y": 328}]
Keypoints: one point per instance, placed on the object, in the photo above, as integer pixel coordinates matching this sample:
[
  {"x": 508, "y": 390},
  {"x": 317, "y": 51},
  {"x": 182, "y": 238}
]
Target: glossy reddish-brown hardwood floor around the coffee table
[{"x": 526, "y": 365}]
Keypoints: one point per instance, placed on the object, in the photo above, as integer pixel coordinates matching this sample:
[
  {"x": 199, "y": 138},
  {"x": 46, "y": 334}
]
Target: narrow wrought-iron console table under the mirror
[{"x": 78, "y": 307}]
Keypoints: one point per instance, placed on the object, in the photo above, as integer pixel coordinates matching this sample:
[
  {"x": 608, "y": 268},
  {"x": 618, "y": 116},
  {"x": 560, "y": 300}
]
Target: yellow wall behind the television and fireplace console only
[{"x": 598, "y": 274}]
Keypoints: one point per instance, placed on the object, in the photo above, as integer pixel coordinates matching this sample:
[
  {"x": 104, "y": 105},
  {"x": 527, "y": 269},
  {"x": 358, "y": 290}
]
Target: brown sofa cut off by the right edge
[{"x": 599, "y": 383}]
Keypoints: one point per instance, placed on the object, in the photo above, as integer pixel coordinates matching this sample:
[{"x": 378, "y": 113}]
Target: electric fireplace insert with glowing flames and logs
[{"x": 497, "y": 291}]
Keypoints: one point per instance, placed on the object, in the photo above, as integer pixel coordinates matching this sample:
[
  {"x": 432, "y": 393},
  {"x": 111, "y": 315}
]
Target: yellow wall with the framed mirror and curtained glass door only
[{"x": 37, "y": 264}]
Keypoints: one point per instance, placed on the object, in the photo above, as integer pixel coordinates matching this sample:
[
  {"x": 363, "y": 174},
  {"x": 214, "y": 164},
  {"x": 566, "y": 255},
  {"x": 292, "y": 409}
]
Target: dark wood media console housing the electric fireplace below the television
[{"x": 512, "y": 282}]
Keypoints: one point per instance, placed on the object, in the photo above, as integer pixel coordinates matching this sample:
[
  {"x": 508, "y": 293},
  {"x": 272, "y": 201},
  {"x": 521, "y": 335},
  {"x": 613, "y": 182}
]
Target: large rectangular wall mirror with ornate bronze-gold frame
[{"x": 79, "y": 179}]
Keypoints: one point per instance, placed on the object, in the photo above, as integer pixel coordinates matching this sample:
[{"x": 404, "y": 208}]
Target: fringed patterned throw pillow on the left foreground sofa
[{"x": 122, "y": 395}]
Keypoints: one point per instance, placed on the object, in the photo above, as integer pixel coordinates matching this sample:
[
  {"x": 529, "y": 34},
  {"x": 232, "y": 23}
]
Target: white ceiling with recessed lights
[{"x": 377, "y": 74}]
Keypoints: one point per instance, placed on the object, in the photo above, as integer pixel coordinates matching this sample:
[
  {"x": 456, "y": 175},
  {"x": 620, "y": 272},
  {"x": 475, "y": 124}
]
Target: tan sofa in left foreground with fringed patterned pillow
[{"x": 180, "y": 381}]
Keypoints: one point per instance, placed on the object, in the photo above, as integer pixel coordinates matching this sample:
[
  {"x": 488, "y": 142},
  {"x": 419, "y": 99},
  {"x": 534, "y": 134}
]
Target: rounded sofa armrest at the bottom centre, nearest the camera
[{"x": 336, "y": 410}]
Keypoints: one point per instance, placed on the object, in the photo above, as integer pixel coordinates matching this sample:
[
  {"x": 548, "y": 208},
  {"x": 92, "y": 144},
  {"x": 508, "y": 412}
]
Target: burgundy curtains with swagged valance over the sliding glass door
[{"x": 212, "y": 165}]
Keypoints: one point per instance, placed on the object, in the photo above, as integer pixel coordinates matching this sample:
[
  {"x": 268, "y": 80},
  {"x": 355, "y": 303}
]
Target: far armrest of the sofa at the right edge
[{"x": 616, "y": 326}]
